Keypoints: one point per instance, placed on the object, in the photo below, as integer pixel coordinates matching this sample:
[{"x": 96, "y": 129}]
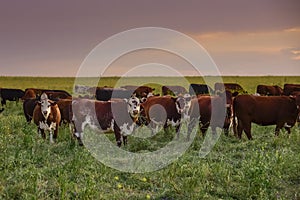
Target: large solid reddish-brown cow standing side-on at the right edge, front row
[{"x": 281, "y": 111}]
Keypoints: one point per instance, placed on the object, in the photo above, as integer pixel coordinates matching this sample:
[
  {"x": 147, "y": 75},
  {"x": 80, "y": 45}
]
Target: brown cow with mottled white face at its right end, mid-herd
[{"x": 163, "y": 111}]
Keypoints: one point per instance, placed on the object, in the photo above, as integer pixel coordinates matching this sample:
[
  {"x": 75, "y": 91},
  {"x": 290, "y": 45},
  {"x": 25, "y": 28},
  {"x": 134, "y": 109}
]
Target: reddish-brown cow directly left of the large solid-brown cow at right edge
[{"x": 214, "y": 111}]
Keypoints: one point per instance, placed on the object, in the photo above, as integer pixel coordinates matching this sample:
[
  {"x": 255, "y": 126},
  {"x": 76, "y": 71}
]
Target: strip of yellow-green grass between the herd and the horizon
[{"x": 249, "y": 83}]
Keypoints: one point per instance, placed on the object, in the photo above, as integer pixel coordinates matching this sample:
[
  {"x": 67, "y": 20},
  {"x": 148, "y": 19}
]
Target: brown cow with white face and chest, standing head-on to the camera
[{"x": 46, "y": 116}]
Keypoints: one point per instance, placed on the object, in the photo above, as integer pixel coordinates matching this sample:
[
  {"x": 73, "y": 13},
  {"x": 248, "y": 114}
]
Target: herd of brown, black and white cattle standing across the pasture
[{"x": 123, "y": 109}]
